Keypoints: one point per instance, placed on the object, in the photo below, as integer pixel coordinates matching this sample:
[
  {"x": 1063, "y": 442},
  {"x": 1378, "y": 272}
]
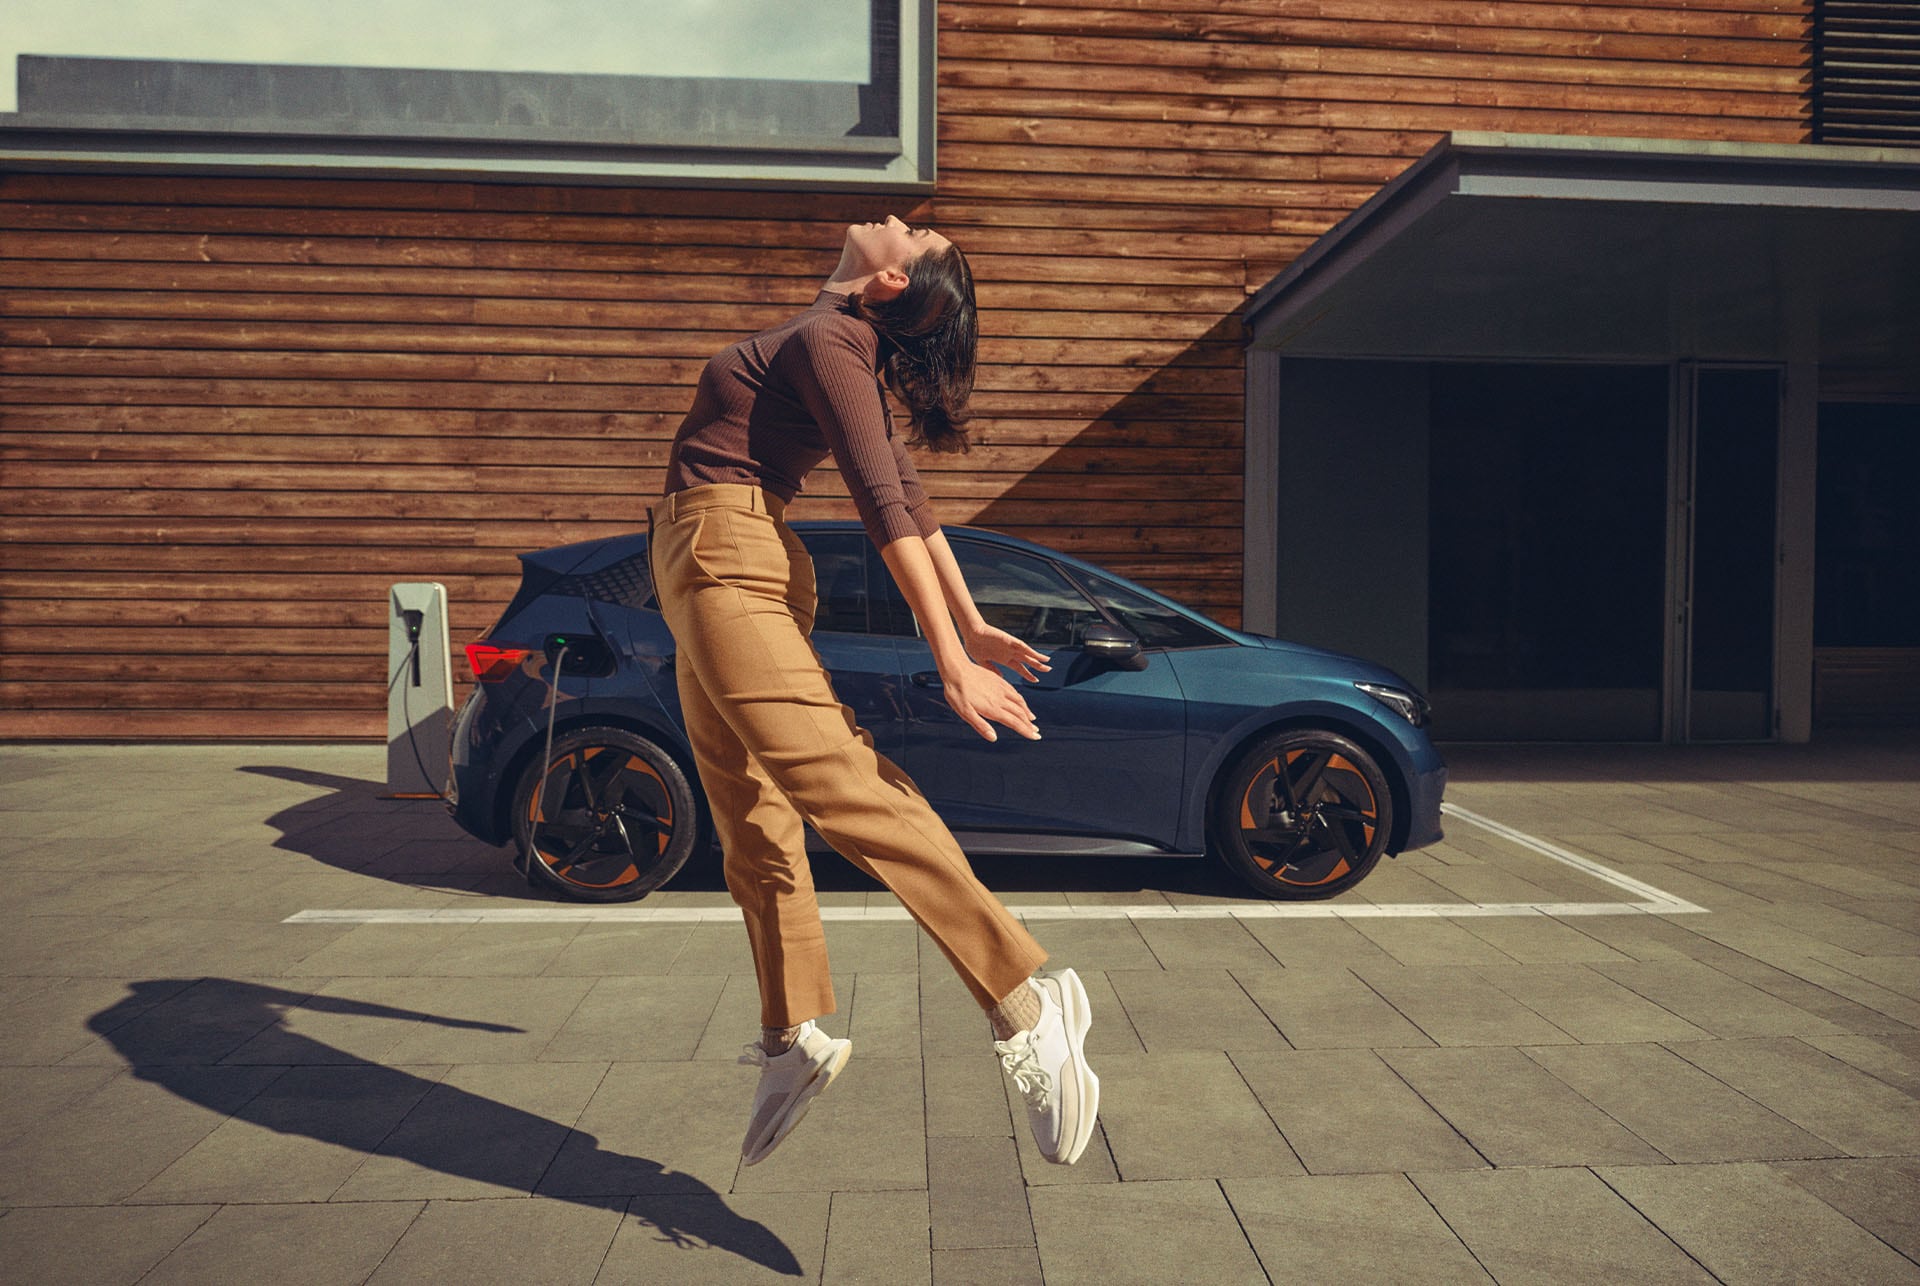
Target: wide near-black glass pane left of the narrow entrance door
[{"x": 1547, "y": 552}]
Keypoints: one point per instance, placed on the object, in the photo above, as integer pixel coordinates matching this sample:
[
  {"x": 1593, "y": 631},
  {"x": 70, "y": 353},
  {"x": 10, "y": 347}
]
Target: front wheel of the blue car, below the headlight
[{"x": 1303, "y": 815}]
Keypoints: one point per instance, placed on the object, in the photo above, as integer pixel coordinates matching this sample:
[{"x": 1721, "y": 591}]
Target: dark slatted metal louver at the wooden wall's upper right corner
[{"x": 1867, "y": 72}]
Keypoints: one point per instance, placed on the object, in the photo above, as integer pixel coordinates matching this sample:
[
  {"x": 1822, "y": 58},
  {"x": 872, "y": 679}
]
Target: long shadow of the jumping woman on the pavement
[{"x": 172, "y": 1032}]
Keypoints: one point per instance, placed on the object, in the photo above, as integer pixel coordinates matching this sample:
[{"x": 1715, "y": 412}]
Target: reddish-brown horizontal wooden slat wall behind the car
[{"x": 237, "y": 410}]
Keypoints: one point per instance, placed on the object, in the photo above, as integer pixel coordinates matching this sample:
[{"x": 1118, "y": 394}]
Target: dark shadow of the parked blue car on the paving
[{"x": 416, "y": 844}]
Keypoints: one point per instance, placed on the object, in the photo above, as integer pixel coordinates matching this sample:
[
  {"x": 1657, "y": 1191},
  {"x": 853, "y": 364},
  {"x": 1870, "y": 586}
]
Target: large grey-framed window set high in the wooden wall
[{"x": 756, "y": 93}]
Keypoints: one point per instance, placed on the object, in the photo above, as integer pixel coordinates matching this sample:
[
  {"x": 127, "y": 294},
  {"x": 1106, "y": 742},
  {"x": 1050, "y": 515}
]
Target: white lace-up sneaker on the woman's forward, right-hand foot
[{"x": 1049, "y": 1068}]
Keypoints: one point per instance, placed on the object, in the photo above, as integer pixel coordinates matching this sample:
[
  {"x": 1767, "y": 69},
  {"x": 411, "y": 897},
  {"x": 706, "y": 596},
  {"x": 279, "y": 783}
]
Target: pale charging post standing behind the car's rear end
[{"x": 420, "y": 692}]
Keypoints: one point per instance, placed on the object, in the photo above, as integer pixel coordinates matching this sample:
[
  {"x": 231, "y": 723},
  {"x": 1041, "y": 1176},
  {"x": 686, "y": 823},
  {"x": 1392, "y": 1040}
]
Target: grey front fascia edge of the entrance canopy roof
[{"x": 1464, "y": 155}]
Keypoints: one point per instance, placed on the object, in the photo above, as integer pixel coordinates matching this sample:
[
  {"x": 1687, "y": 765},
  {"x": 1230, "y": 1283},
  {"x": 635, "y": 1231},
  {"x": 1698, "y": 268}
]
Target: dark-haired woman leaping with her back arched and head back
[{"x": 775, "y": 746}]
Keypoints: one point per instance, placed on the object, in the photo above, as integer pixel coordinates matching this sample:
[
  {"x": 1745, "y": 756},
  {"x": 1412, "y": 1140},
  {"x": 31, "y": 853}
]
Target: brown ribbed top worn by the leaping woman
[{"x": 780, "y": 402}]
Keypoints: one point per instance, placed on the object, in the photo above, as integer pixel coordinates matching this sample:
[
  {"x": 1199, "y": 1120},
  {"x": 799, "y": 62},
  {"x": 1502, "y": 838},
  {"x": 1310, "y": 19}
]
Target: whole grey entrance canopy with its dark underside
[{"x": 1531, "y": 247}]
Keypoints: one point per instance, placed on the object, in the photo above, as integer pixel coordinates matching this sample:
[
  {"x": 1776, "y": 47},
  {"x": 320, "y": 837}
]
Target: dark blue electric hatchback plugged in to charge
[{"x": 1164, "y": 732}]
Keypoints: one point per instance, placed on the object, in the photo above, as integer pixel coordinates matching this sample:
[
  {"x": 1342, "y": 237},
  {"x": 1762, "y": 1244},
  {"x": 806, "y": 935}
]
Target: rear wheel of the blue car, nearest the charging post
[{"x": 608, "y": 819}]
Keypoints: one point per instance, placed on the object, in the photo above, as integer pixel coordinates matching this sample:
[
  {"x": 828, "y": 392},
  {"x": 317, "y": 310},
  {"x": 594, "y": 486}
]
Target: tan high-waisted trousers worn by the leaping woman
[{"x": 775, "y": 748}]
